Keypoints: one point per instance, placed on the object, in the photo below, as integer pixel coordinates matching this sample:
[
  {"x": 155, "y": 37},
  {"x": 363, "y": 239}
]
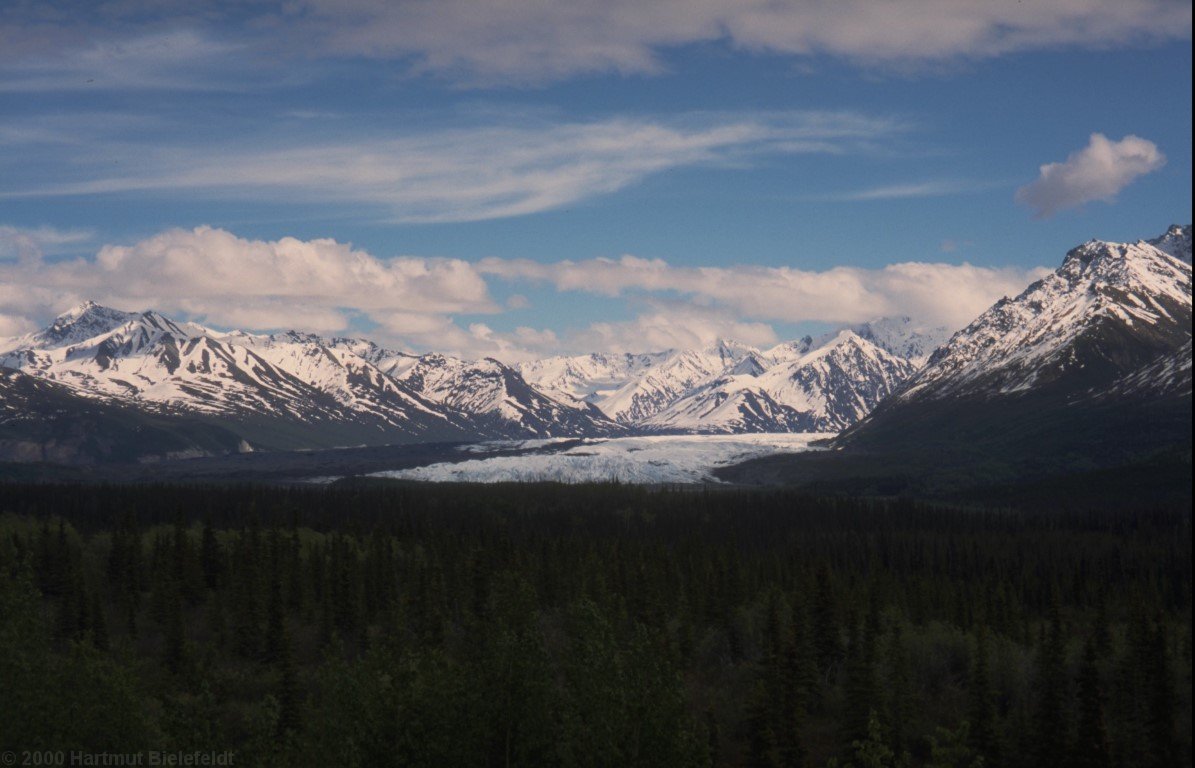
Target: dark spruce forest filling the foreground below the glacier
[{"x": 600, "y": 625}]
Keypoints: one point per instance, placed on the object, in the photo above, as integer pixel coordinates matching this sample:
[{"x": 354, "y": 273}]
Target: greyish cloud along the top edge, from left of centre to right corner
[{"x": 528, "y": 41}]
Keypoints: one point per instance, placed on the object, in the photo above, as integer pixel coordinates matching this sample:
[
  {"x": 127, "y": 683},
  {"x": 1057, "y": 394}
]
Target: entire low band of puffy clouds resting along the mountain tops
[{"x": 217, "y": 278}]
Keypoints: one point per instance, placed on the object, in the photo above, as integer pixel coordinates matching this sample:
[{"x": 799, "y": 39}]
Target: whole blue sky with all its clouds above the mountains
[{"x": 519, "y": 179}]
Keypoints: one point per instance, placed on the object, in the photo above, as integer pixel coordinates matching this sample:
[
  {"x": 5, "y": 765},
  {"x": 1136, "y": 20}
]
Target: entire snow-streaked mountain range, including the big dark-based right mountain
[{"x": 1108, "y": 334}]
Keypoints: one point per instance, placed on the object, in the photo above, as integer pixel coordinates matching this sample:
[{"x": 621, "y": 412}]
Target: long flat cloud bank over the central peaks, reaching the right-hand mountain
[{"x": 951, "y": 294}]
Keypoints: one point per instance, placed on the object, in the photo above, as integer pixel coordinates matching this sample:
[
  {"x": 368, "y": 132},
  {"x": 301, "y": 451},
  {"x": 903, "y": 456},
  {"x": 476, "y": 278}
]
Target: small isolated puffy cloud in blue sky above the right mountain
[{"x": 1098, "y": 173}]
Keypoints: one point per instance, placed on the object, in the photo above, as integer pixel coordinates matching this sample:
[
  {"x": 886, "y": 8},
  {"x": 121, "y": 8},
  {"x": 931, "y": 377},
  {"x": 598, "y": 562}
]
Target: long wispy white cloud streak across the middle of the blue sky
[{"x": 464, "y": 175}]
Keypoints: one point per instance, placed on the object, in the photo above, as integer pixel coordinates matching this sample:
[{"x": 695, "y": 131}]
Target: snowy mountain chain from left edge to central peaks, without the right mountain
[{"x": 299, "y": 391}]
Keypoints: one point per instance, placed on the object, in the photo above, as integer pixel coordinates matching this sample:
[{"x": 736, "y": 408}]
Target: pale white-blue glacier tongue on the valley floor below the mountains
[{"x": 670, "y": 459}]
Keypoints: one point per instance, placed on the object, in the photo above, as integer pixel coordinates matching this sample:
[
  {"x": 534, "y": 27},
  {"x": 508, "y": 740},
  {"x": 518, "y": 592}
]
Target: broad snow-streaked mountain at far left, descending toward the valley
[{"x": 286, "y": 391}]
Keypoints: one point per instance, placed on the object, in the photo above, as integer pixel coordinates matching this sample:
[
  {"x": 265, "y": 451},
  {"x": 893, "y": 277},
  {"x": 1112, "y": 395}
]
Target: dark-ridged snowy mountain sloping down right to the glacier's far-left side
[{"x": 495, "y": 391}]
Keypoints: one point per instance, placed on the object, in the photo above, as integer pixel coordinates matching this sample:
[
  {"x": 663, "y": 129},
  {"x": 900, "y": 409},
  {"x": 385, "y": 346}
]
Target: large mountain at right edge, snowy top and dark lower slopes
[{"x": 1090, "y": 365}]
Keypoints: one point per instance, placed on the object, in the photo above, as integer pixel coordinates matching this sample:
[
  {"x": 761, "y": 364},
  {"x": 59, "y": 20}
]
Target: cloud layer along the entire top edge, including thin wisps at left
[{"x": 529, "y": 42}]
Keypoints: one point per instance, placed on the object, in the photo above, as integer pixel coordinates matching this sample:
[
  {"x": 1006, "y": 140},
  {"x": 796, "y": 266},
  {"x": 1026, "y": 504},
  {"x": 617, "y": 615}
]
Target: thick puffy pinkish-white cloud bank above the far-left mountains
[{"x": 230, "y": 281}]
